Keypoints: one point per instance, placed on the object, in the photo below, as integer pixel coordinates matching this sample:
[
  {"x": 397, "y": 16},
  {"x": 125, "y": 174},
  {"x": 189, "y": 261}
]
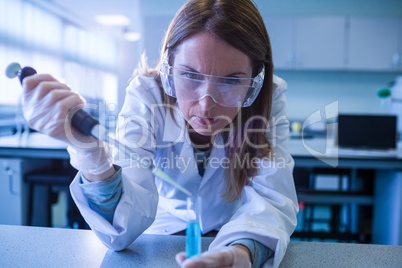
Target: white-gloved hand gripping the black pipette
[{"x": 48, "y": 106}]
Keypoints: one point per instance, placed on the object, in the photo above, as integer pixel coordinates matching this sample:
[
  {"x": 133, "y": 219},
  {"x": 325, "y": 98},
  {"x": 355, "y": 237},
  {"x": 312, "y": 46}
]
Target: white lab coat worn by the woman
[{"x": 265, "y": 212}]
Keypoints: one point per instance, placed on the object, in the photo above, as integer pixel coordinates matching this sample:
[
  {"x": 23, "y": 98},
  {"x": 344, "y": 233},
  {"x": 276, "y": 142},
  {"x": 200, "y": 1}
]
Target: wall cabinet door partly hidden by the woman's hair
[{"x": 281, "y": 33}]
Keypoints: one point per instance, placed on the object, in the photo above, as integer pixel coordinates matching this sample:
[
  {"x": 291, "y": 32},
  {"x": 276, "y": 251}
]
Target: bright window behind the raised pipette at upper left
[{"x": 34, "y": 37}]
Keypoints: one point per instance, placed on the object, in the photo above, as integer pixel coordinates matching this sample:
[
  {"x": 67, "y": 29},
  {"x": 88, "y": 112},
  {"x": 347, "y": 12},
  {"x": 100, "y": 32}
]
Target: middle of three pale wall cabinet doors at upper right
[{"x": 320, "y": 43}]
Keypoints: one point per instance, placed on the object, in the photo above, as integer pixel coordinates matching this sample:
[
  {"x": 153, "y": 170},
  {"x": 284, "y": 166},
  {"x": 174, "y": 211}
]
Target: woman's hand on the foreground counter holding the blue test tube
[{"x": 232, "y": 256}]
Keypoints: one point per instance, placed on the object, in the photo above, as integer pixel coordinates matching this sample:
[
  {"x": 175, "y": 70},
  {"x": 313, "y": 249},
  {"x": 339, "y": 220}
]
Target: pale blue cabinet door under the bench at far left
[{"x": 11, "y": 211}]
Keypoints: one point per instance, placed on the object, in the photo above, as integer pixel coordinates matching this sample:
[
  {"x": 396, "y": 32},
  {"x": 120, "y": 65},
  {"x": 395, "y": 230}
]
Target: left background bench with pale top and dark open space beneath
[{"x": 32, "y": 168}]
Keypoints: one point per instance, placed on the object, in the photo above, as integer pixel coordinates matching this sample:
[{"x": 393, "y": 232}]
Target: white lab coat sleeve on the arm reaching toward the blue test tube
[{"x": 269, "y": 202}]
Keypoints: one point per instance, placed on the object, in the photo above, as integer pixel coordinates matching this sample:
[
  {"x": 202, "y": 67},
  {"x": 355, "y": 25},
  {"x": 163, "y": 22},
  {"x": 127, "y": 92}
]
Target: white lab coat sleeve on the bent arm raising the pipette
[{"x": 138, "y": 128}]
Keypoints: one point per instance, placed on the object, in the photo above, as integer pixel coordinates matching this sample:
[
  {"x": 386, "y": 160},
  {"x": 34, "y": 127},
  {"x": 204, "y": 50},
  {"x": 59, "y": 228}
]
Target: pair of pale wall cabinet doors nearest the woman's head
[{"x": 307, "y": 42}]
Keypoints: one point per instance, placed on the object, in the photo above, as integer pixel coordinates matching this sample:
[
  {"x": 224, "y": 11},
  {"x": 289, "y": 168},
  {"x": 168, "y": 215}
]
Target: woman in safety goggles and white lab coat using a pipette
[{"x": 211, "y": 115}]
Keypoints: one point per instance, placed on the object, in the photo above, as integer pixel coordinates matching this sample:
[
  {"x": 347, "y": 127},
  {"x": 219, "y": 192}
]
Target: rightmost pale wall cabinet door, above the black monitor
[{"x": 373, "y": 43}]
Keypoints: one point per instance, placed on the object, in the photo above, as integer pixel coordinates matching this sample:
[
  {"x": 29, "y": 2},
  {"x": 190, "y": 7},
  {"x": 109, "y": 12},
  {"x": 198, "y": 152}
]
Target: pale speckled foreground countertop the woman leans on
[{"x": 24, "y": 246}]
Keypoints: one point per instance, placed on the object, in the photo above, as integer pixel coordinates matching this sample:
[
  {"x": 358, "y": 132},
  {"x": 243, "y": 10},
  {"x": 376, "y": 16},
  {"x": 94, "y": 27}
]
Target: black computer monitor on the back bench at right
[{"x": 367, "y": 131}]
